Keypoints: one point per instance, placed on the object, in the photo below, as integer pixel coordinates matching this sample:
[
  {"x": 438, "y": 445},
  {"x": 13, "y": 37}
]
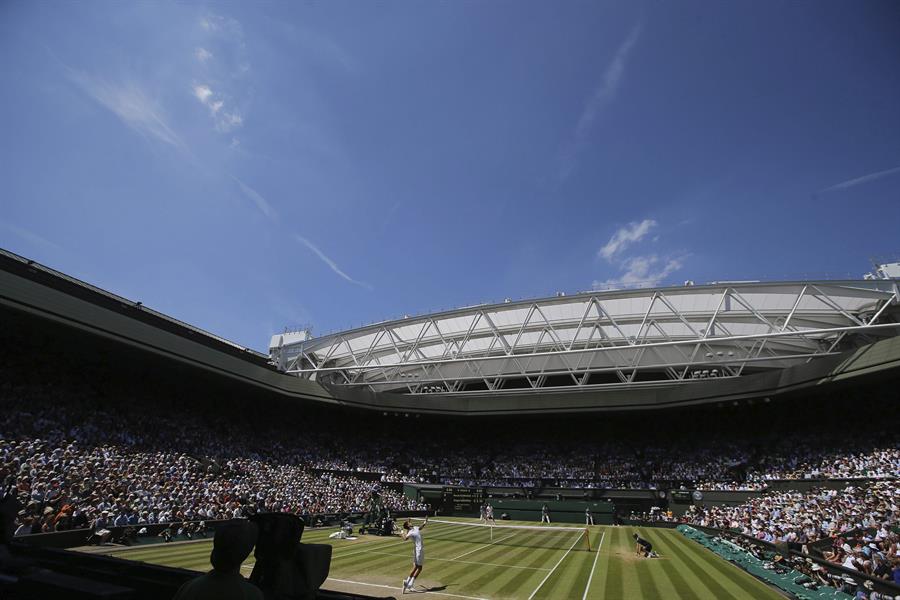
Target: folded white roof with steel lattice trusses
[{"x": 601, "y": 339}]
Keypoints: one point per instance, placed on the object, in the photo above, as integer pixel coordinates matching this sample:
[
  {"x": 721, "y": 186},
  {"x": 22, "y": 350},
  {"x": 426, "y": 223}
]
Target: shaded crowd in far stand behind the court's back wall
[{"x": 583, "y": 464}]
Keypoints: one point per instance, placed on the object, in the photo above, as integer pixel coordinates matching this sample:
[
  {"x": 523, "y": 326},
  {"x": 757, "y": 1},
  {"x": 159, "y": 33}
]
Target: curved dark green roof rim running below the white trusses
[{"x": 27, "y": 289}]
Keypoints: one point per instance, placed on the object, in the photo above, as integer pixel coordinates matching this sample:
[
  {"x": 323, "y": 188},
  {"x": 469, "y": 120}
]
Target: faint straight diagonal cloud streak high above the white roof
[{"x": 601, "y": 97}]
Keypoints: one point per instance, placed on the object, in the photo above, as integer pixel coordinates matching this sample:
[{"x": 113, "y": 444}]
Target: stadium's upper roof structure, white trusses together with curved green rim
[{"x": 590, "y": 352}]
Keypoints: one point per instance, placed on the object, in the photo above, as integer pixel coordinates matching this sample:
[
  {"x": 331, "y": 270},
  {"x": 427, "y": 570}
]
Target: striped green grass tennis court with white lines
[{"x": 462, "y": 562}]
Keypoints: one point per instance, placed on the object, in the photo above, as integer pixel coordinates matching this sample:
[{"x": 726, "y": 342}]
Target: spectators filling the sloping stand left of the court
[{"x": 76, "y": 468}]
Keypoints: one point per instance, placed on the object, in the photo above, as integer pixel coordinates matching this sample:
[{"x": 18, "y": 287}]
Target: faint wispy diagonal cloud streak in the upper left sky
[{"x": 129, "y": 102}]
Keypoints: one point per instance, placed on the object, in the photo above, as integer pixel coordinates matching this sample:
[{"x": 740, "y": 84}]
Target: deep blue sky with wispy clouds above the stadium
[{"x": 246, "y": 167}]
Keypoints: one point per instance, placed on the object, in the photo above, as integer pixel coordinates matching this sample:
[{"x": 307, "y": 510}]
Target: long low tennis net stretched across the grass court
[{"x": 550, "y": 536}]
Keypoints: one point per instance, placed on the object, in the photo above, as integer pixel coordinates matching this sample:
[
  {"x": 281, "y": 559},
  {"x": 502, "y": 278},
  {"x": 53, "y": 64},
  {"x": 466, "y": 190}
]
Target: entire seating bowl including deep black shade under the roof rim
[{"x": 110, "y": 438}]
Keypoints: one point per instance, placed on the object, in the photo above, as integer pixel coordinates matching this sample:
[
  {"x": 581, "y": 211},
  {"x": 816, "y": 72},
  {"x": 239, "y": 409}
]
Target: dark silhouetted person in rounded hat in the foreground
[{"x": 232, "y": 545}]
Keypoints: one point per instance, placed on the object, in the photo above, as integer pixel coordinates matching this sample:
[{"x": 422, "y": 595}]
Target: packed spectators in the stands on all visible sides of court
[{"x": 82, "y": 461}]
